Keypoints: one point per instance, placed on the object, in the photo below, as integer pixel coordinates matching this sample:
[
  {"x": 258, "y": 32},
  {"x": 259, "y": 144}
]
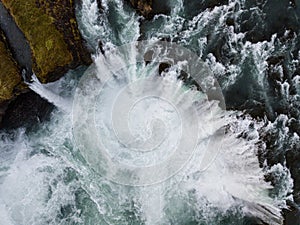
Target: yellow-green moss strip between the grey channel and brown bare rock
[{"x": 47, "y": 44}]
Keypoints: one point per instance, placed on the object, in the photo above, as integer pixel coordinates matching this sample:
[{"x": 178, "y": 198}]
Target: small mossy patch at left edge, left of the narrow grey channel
[{"x": 9, "y": 74}]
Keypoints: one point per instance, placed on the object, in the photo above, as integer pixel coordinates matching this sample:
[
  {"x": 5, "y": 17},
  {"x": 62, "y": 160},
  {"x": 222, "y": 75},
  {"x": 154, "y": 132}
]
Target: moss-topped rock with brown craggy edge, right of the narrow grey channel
[{"x": 51, "y": 30}]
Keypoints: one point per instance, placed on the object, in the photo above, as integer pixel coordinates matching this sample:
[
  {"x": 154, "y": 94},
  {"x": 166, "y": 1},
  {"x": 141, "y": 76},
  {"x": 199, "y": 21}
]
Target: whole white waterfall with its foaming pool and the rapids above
[{"x": 132, "y": 144}]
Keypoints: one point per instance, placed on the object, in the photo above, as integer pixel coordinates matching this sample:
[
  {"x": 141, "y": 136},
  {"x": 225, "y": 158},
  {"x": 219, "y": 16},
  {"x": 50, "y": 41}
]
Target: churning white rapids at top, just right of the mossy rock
[{"x": 98, "y": 25}]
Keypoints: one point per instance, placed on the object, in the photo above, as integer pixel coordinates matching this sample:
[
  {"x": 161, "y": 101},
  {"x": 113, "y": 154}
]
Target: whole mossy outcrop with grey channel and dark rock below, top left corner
[{"x": 38, "y": 35}]
